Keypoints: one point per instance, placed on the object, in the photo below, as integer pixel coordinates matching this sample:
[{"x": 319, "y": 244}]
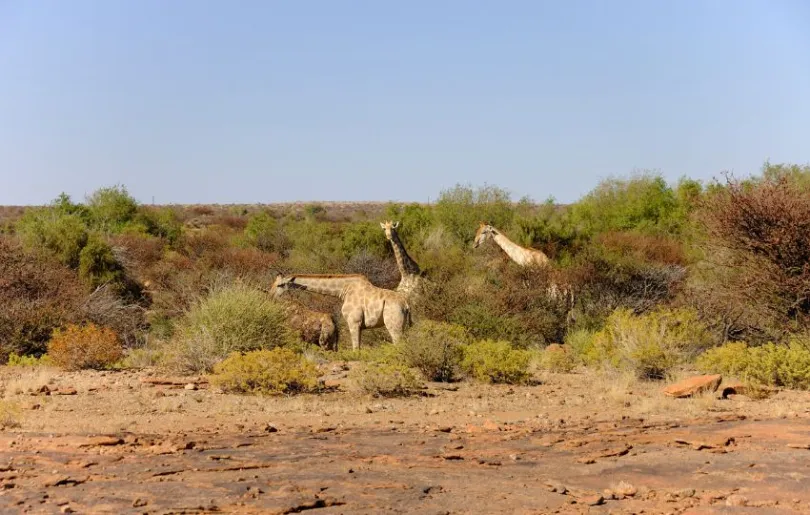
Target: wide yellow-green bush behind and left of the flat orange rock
[{"x": 649, "y": 345}]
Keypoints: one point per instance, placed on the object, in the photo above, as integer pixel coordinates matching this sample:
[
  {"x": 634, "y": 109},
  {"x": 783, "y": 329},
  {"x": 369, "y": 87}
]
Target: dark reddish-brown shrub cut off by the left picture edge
[{"x": 37, "y": 294}]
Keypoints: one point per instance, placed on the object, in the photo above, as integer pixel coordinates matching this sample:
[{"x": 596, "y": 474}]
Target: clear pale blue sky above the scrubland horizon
[{"x": 263, "y": 101}]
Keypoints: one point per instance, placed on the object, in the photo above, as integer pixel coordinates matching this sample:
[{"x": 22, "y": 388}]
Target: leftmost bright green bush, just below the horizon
[{"x": 60, "y": 233}]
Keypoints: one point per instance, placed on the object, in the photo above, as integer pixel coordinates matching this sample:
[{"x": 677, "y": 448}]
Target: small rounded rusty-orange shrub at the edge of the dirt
[{"x": 82, "y": 347}]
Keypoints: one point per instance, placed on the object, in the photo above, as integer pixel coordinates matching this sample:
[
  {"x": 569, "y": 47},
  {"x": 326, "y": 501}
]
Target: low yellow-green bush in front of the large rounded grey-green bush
[{"x": 276, "y": 371}]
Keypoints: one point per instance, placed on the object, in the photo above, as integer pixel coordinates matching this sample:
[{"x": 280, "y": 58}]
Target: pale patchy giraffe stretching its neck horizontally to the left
[{"x": 365, "y": 306}]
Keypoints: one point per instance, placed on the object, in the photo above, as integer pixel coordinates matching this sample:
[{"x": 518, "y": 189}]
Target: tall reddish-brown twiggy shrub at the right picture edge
[{"x": 757, "y": 250}]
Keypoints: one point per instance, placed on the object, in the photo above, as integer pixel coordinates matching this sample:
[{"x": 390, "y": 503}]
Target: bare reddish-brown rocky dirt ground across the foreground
[{"x": 117, "y": 442}]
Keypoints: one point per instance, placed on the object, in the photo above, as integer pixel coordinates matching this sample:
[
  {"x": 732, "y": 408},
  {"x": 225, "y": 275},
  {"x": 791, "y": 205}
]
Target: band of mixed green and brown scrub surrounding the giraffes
[{"x": 711, "y": 276}]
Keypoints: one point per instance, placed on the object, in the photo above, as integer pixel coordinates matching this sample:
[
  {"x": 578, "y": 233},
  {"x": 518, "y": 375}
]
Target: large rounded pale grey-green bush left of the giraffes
[{"x": 235, "y": 318}]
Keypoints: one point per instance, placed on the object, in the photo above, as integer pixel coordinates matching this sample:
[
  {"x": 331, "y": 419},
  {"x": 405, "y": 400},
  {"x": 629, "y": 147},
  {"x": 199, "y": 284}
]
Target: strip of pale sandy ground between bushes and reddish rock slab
[{"x": 119, "y": 401}]
